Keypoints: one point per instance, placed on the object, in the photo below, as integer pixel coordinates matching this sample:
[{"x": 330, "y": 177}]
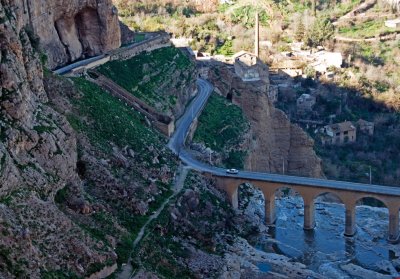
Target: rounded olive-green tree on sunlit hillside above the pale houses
[{"x": 321, "y": 31}]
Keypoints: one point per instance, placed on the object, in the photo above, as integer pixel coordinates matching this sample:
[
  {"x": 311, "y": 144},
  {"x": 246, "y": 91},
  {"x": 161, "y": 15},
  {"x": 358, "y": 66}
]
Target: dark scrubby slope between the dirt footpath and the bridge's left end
[{"x": 191, "y": 237}]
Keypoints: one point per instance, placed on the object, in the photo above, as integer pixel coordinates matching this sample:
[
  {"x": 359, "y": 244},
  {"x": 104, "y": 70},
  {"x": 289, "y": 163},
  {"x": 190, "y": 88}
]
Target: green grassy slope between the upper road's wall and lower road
[{"x": 157, "y": 77}]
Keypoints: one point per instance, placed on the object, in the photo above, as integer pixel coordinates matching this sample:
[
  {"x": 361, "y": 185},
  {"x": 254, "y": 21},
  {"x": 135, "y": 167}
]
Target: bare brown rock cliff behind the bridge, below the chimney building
[{"x": 275, "y": 140}]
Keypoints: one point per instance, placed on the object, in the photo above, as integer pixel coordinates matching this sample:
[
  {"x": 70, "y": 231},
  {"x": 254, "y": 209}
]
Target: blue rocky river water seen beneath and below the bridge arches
[{"x": 325, "y": 251}]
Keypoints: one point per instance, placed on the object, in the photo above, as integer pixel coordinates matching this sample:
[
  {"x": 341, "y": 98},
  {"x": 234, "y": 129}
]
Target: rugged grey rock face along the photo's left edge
[{"x": 37, "y": 147}]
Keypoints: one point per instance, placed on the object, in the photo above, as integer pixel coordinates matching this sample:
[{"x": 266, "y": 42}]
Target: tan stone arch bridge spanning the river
[{"x": 309, "y": 189}]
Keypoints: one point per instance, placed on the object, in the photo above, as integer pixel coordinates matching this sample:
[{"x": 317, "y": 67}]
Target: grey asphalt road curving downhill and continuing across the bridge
[{"x": 177, "y": 143}]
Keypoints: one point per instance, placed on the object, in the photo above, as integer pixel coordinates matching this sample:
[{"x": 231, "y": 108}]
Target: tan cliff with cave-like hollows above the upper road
[{"x": 70, "y": 30}]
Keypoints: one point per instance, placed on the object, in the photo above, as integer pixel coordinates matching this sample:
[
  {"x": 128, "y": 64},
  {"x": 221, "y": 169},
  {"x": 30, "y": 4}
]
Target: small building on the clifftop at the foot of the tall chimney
[{"x": 249, "y": 68}]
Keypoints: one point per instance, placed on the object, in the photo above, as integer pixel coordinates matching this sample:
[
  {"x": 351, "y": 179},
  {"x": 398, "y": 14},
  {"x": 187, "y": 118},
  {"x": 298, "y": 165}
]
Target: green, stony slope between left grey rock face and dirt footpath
[{"x": 117, "y": 188}]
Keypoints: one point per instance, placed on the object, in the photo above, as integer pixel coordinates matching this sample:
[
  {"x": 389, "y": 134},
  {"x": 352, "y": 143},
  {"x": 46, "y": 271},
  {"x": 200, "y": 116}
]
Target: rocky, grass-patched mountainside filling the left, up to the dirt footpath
[{"x": 64, "y": 215}]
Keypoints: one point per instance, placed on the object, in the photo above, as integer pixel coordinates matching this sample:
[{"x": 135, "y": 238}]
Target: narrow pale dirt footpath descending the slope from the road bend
[{"x": 127, "y": 270}]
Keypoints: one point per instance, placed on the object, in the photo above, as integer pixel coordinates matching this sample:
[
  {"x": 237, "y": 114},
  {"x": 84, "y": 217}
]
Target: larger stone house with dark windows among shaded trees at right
[{"x": 339, "y": 133}]
